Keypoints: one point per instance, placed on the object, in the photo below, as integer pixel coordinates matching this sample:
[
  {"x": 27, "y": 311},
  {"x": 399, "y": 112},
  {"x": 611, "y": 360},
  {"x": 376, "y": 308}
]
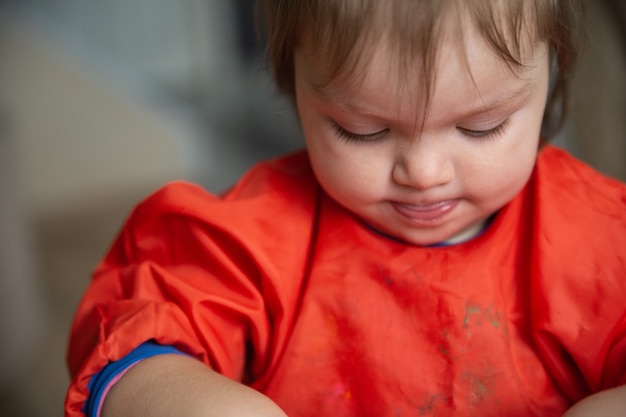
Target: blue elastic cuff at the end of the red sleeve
[{"x": 101, "y": 380}]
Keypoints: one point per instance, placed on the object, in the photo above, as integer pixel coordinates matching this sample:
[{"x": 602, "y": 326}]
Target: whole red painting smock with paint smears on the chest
[{"x": 277, "y": 286}]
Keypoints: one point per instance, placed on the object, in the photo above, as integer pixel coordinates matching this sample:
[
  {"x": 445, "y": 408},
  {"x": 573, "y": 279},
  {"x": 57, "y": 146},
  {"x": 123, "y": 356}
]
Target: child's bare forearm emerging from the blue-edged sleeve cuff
[{"x": 176, "y": 385}]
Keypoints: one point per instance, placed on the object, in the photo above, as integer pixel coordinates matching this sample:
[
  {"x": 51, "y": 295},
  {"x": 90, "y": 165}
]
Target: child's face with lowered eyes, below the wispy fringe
[{"x": 475, "y": 152}]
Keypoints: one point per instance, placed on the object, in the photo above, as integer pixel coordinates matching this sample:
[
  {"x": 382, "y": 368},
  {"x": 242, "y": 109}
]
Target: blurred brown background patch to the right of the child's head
[{"x": 596, "y": 131}]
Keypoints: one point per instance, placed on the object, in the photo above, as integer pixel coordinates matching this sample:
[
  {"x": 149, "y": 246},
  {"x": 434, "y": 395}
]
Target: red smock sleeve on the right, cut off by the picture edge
[{"x": 578, "y": 285}]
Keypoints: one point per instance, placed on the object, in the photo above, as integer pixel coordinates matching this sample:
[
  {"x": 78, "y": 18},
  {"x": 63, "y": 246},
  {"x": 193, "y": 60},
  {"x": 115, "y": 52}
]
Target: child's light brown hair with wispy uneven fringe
[{"x": 336, "y": 31}]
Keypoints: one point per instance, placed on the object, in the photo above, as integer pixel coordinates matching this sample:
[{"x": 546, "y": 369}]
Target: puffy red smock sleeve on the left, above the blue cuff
[{"x": 193, "y": 271}]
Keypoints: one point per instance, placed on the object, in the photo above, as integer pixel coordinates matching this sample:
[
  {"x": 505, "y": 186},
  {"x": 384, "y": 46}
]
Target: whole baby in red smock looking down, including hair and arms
[{"x": 428, "y": 254}]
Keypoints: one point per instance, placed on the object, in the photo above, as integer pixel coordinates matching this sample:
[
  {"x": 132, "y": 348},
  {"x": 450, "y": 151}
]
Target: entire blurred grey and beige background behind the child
[{"x": 101, "y": 102}]
